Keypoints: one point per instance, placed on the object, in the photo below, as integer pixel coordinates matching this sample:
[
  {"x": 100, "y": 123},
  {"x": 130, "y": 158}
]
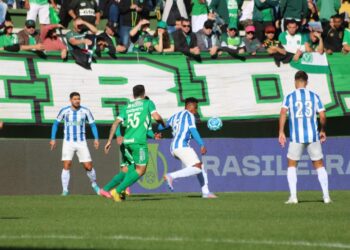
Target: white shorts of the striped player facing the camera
[{"x": 69, "y": 148}]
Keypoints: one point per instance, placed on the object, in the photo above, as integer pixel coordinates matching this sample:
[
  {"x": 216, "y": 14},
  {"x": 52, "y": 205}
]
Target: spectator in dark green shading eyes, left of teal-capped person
[{"x": 140, "y": 37}]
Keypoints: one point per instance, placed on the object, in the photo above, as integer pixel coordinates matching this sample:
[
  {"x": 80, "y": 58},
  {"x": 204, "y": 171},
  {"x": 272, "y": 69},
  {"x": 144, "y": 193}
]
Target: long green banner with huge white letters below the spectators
[{"x": 33, "y": 90}]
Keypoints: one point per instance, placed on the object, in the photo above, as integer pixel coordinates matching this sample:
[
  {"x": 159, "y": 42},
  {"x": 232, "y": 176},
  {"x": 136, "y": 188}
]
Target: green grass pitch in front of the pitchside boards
[{"x": 176, "y": 221}]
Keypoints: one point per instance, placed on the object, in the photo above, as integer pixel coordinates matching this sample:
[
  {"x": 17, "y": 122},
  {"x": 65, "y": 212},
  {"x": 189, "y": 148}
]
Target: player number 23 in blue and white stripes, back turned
[{"x": 303, "y": 106}]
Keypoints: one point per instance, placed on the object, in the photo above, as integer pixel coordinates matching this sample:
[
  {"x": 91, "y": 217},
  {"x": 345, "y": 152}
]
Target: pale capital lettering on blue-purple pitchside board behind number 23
[{"x": 270, "y": 165}]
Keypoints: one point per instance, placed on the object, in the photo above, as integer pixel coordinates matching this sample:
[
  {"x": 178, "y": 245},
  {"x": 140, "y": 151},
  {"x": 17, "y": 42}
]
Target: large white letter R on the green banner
[{"x": 63, "y": 82}]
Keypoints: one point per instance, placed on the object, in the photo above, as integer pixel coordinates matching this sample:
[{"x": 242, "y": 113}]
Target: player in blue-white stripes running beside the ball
[{"x": 184, "y": 128}]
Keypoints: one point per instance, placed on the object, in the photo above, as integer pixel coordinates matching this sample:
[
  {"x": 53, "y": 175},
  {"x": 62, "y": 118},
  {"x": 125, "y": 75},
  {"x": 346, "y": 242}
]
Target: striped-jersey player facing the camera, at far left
[{"x": 75, "y": 116}]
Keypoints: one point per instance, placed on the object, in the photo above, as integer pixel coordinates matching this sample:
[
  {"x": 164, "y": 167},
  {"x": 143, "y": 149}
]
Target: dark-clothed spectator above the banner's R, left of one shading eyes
[{"x": 109, "y": 42}]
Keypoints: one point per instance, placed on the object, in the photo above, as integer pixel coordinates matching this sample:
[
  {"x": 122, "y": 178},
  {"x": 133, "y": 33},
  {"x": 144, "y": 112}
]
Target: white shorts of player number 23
[{"x": 314, "y": 149}]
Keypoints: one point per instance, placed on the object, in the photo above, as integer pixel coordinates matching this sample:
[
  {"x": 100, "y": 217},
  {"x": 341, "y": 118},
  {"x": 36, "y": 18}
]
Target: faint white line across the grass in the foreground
[{"x": 331, "y": 245}]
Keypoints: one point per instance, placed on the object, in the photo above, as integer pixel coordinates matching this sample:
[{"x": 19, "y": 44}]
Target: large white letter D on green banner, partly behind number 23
[{"x": 231, "y": 92}]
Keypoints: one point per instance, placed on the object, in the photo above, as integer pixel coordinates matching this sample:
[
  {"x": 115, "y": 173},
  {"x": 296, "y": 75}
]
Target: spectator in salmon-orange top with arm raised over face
[{"x": 51, "y": 41}]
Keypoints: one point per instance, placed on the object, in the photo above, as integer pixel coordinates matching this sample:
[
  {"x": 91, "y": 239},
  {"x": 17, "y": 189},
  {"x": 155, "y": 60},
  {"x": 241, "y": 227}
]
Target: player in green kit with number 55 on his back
[{"x": 136, "y": 118}]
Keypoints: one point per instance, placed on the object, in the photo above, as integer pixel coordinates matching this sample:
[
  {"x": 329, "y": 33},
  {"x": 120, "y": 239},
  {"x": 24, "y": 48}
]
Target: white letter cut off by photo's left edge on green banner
[{"x": 14, "y": 110}]
